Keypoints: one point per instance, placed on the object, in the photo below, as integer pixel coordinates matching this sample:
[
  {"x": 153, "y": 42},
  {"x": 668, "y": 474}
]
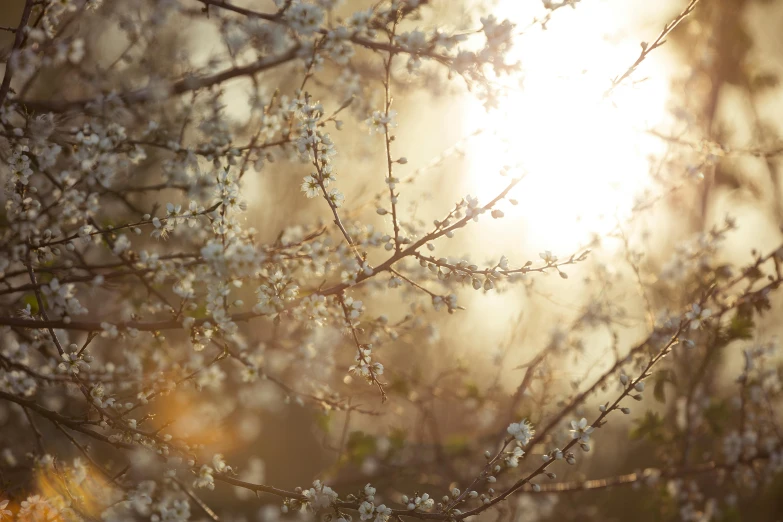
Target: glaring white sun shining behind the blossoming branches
[{"x": 586, "y": 156}]
